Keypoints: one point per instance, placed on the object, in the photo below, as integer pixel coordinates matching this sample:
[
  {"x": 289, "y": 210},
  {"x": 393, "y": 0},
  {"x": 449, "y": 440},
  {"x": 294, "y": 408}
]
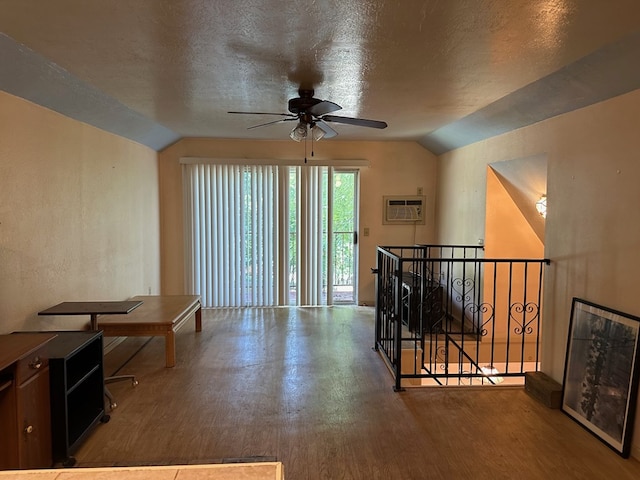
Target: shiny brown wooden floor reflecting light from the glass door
[{"x": 303, "y": 386}]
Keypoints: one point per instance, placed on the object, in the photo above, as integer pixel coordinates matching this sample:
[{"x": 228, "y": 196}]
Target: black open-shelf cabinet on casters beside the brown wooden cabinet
[{"x": 77, "y": 390}]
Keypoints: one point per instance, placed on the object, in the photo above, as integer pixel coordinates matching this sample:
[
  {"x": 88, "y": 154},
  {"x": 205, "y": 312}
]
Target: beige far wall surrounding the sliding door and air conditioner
[{"x": 396, "y": 168}]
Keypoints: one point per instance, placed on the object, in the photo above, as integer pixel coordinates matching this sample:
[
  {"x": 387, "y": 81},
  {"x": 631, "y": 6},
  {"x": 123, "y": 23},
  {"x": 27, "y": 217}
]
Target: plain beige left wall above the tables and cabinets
[{"x": 78, "y": 216}]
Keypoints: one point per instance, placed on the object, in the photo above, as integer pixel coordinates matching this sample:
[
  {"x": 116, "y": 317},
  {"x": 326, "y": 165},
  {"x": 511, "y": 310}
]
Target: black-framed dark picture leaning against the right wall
[{"x": 600, "y": 387}]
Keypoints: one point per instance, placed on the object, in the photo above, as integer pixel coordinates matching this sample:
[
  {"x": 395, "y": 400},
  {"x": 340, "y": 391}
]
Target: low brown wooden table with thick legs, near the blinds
[{"x": 159, "y": 315}]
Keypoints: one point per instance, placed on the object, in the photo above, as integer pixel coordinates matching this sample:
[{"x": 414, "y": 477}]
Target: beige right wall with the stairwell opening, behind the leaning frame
[{"x": 592, "y": 232}]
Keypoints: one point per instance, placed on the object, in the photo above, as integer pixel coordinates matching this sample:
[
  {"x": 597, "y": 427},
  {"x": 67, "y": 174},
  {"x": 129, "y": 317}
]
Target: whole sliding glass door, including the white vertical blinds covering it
[{"x": 270, "y": 235}]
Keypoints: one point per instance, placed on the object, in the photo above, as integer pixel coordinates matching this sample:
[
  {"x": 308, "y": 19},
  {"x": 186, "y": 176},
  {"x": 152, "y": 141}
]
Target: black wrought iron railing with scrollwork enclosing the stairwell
[{"x": 445, "y": 315}]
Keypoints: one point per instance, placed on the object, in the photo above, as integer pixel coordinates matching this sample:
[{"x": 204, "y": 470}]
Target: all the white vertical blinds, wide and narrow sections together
[{"x": 236, "y": 230}]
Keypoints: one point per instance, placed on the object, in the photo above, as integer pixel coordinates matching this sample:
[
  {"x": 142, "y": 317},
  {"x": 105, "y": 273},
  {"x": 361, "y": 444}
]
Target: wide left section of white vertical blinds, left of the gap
[{"x": 231, "y": 234}]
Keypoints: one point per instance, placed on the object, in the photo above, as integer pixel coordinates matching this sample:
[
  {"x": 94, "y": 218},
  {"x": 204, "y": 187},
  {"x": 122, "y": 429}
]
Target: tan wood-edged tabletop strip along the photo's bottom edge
[{"x": 222, "y": 471}]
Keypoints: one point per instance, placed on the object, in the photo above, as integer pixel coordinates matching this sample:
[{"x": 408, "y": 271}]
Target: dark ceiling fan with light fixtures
[{"x": 312, "y": 116}]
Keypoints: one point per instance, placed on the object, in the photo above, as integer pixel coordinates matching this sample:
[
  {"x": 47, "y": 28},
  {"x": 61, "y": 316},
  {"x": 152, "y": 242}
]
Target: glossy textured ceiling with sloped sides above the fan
[{"x": 440, "y": 72}]
